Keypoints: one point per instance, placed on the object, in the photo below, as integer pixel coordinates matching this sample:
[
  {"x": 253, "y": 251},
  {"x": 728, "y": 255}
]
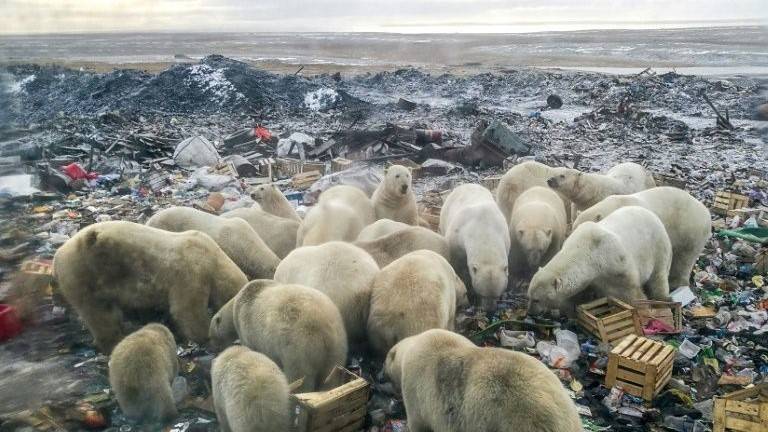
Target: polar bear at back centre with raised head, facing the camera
[{"x": 394, "y": 198}]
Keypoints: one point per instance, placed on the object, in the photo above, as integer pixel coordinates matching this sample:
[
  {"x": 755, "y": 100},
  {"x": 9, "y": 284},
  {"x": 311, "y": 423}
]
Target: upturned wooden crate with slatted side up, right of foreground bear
[{"x": 641, "y": 366}]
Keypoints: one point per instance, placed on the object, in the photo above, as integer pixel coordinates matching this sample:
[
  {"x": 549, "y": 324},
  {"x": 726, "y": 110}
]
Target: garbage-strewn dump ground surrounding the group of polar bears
[{"x": 83, "y": 148}]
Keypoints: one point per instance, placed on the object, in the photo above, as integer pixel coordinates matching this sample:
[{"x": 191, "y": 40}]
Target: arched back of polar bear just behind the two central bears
[{"x": 392, "y": 246}]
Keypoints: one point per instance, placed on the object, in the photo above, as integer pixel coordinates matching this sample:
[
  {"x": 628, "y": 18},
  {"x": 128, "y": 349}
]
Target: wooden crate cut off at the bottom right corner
[{"x": 743, "y": 410}]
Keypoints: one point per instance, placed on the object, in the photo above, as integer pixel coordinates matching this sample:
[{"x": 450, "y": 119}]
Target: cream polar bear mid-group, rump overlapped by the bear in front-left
[{"x": 340, "y": 270}]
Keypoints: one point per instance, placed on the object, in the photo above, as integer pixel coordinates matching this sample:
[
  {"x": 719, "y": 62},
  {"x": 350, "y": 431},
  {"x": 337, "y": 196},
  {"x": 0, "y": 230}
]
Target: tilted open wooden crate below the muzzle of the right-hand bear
[{"x": 609, "y": 318}]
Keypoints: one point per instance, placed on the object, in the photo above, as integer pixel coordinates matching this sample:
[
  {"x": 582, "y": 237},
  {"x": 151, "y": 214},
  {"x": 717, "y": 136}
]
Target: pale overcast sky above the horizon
[{"x": 412, "y": 16}]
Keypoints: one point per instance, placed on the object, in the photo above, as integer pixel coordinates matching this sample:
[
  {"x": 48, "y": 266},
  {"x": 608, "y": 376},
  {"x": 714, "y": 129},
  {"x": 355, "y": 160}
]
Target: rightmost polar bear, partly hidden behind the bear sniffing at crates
[{"x": 687, "y": 221}]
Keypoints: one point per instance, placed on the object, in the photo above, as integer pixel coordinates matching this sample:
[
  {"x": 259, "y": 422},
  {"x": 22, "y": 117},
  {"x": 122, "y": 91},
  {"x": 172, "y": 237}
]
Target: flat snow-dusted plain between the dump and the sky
[{"x": 701, "y": 50}]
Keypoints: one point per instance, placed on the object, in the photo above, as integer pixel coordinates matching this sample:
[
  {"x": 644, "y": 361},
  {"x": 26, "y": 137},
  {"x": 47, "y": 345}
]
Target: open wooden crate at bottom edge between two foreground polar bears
[{"x": 340, "y": 409}]
